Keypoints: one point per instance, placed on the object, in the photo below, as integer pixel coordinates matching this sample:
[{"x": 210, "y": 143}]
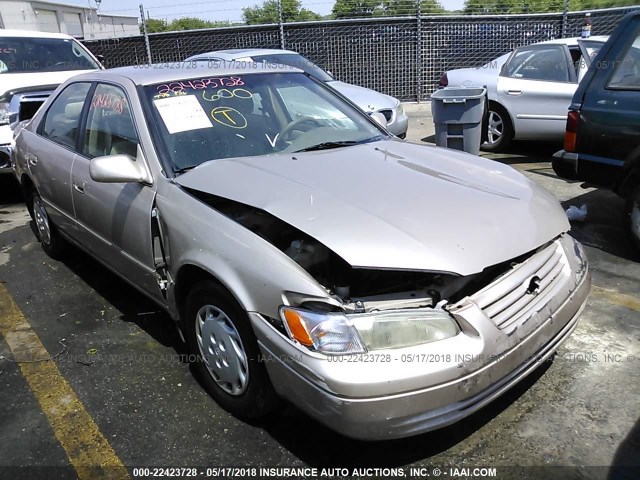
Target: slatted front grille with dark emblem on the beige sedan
[{"x": 512, "y": 298}]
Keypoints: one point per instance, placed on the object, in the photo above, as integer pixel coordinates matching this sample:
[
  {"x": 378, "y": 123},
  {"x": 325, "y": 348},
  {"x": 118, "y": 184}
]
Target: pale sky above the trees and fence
[{"x": 207, "y": 10}]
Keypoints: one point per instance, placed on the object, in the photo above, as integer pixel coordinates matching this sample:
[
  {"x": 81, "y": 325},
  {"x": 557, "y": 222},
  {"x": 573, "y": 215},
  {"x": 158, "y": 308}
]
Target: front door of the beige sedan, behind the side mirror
[{"x": 114, "y": 218}]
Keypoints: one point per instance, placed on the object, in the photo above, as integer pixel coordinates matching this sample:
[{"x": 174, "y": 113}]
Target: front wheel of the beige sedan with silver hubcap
[{"x": 229, "y": 366}]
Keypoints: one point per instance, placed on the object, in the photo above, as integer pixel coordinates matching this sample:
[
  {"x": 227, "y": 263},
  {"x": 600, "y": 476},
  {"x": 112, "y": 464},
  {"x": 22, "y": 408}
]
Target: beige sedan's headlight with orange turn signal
[{"x": 339, "y": 334}]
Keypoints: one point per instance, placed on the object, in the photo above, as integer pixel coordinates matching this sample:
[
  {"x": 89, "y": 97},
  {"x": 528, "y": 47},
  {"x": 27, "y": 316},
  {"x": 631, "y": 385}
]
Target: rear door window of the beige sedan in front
[{"x": 63, "y": 117}]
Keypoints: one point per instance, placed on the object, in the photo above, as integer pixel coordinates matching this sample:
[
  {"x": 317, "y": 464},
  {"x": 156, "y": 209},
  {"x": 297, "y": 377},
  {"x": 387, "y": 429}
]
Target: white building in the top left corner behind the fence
[{"x": 75, "y": 20}]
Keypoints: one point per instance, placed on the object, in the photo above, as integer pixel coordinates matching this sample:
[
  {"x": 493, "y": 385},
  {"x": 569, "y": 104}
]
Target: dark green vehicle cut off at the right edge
[{"x": 602, "y": 142}]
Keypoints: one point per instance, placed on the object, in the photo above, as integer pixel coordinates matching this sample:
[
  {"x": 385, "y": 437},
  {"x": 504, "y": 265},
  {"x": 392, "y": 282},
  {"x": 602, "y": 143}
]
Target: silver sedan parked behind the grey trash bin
[{"x": 529, "y": 89}]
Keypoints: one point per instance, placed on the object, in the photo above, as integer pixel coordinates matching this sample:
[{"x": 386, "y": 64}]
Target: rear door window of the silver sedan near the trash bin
[{"x": 548, "y": 63}]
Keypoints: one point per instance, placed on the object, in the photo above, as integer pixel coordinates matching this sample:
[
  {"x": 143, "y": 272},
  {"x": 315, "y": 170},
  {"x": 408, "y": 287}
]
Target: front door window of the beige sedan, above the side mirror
[{"x": 110, "y": 129}]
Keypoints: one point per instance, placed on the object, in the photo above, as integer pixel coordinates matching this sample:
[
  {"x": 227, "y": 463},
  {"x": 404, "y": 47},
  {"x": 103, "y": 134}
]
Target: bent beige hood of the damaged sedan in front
[{"x": 395, "y": 205}]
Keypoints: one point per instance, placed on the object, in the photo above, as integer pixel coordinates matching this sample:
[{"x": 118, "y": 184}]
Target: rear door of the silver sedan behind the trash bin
[{"x": 536, "y": 86}]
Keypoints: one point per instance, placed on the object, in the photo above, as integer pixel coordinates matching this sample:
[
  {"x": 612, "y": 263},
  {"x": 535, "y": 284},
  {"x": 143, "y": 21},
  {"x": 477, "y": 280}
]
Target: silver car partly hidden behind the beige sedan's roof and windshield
[{"x": 365, "y": 98}]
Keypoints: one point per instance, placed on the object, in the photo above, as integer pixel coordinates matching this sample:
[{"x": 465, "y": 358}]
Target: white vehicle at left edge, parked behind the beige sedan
[{"x": 32, "y": 65}]
